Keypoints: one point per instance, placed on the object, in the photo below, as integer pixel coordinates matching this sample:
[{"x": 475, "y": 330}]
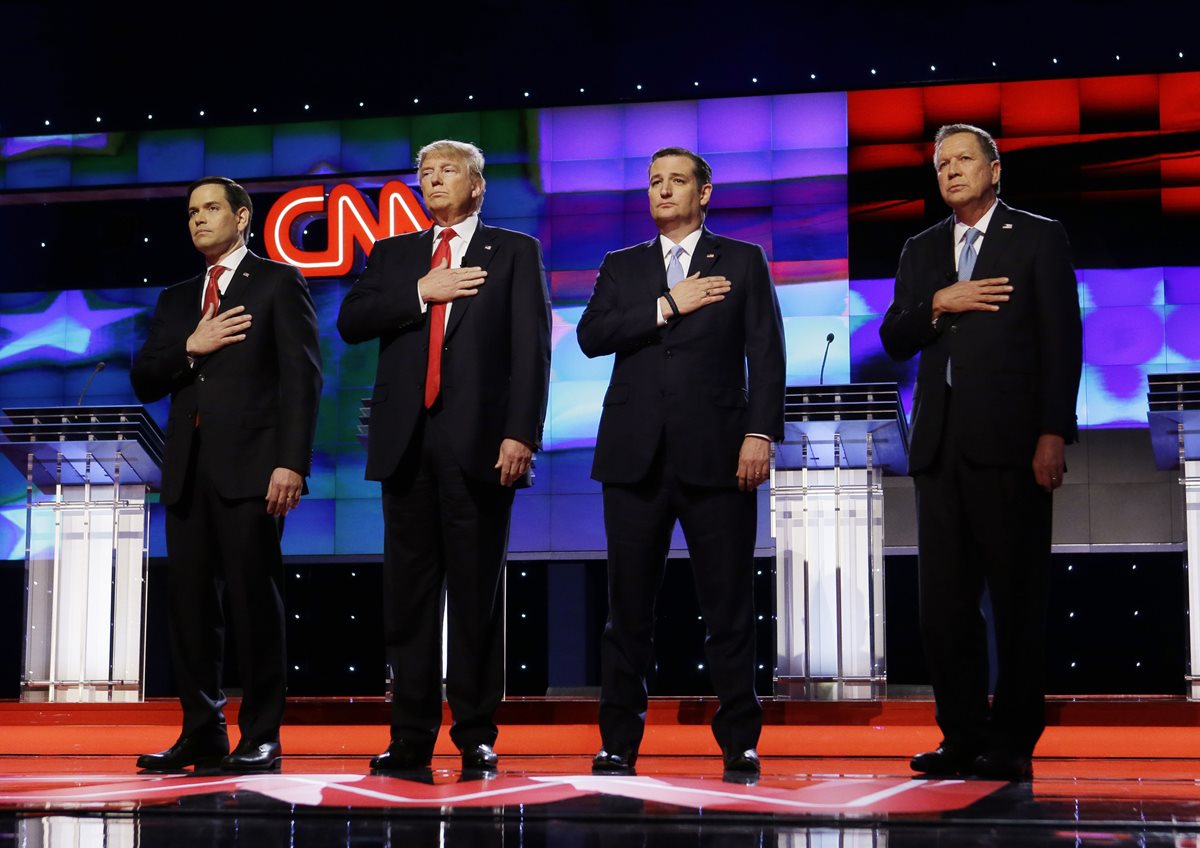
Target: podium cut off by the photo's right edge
[{"x": 1174, "y": 419}]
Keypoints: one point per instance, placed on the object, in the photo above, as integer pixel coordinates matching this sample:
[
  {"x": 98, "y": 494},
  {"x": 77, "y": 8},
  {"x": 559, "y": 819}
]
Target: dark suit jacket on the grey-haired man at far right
[{"x": 1016, "y": 372}]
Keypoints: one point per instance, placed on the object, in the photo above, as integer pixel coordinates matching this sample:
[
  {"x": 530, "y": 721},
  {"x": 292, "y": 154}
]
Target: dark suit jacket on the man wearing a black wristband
[{"x": 706, "y": 380}]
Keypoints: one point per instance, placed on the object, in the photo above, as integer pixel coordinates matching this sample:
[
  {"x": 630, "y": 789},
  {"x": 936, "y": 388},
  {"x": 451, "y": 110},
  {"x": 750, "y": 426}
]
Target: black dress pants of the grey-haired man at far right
[{"x": 983, "y": 526}]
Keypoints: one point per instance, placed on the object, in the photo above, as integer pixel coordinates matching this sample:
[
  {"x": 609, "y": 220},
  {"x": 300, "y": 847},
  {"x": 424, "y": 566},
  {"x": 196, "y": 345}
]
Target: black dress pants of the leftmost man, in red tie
[{"x": 215, "y": 544}]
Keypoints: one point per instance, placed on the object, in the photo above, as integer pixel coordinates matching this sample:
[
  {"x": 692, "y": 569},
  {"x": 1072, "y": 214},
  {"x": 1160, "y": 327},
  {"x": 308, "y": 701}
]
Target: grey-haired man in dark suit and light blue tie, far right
[{"x": 1001, "y": 356}]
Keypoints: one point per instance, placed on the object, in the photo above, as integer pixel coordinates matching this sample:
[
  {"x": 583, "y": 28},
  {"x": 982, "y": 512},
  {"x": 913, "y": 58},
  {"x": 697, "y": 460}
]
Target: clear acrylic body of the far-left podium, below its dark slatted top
[{"x": 87, "y": 556}]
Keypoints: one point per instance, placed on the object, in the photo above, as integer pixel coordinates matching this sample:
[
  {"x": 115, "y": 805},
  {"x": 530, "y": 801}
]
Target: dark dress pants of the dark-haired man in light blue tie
[{"x": 719, "y": 526}]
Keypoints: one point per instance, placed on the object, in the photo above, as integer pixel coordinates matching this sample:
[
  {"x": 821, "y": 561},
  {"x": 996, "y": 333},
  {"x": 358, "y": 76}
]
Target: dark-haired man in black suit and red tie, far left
[{"x": 238, "y": 352}]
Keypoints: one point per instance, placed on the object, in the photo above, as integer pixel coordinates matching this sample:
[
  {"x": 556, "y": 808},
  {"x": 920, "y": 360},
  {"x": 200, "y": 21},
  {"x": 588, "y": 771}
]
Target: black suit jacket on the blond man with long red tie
[{"x": 496, "y": 356}]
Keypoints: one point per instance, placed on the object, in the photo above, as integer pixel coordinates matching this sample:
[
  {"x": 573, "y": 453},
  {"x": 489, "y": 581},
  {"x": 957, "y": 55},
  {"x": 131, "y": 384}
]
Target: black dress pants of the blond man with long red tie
[{"x": 446, "y": 543}]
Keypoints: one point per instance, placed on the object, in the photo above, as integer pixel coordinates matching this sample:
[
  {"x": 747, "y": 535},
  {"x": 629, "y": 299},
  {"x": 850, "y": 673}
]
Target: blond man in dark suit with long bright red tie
[{"x": 463, "y": 317}]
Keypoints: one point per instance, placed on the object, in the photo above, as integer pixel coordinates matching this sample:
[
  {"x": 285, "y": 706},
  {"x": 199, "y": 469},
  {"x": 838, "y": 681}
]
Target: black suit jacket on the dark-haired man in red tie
[{"x": 257, "y": 399}]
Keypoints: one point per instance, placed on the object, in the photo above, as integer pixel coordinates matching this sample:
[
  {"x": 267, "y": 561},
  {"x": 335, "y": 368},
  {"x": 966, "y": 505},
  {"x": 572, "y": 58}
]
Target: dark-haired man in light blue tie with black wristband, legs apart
[{"x": 683, "y": 437}]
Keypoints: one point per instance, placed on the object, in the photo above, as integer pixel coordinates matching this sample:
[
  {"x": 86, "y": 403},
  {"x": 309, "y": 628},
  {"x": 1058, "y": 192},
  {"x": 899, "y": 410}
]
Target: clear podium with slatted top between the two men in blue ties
[{"x": 827, "y": 504}]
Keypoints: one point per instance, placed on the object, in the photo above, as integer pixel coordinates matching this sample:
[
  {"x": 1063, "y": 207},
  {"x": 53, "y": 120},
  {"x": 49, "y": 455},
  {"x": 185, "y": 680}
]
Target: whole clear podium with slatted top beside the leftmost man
[{"x": 87, "y": 548}]
